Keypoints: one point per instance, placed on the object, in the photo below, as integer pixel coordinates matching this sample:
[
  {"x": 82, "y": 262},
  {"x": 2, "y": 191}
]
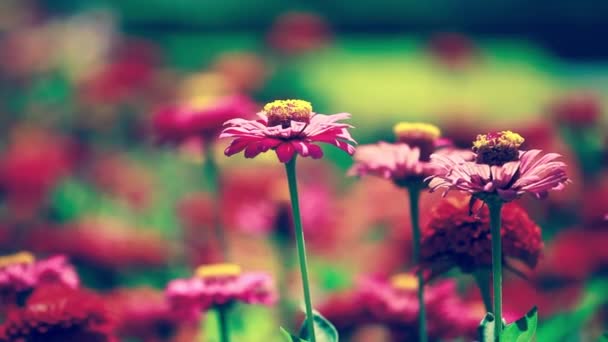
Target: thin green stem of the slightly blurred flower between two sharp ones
[{"x": 414, "y": 193}]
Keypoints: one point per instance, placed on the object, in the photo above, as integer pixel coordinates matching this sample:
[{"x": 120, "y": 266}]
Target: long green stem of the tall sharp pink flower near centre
[{"x": 290, "y": 168}]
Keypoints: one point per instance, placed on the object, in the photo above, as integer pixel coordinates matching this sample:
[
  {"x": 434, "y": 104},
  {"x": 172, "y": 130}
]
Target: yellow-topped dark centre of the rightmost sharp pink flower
[{"x": 497, "y": 148}]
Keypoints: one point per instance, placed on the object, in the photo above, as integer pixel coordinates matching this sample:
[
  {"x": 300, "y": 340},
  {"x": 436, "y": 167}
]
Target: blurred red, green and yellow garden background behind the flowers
[{"x": 82, "y": 172}]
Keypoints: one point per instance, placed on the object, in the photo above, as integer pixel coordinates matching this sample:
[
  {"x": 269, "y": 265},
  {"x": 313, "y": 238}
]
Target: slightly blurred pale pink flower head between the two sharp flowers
[{"x": 406, "y": 161}]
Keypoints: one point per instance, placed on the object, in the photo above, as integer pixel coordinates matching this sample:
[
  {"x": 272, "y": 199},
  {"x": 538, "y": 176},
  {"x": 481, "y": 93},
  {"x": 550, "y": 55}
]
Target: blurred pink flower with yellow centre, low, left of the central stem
[{"x": 217, "y": 285}]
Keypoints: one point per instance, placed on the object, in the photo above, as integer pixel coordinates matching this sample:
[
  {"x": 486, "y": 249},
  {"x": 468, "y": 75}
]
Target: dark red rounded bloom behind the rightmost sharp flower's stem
[{"x": 455, "y": 236}]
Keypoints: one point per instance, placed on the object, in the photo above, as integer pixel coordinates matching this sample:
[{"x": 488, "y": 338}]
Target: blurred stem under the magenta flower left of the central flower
[{"x": 213, "y": 179}]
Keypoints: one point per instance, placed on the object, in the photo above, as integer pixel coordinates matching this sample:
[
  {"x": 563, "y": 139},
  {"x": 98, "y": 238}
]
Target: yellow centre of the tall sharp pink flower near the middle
[{"x": 282, "y": 112}]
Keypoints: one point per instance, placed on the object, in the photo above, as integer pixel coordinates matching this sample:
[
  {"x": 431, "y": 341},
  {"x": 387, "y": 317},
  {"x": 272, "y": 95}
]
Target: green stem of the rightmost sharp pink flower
[{"x": 495, "y": 209}]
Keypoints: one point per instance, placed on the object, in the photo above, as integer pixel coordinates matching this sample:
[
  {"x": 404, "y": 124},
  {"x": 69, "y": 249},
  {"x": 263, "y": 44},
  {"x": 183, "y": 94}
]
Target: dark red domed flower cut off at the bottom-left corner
[{"x": 59, "y": 314}]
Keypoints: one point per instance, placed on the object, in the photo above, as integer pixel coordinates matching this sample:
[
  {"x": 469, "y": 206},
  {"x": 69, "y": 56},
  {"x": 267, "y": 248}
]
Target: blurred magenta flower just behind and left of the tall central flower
[{"x": 179, "y": 123}]
